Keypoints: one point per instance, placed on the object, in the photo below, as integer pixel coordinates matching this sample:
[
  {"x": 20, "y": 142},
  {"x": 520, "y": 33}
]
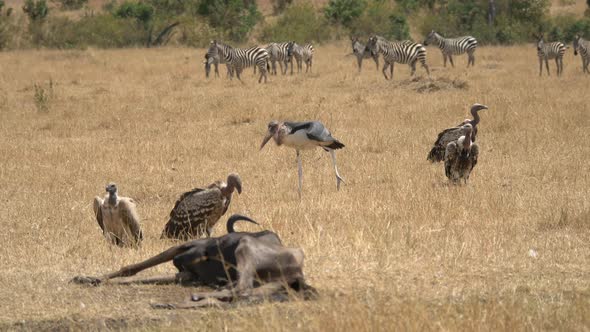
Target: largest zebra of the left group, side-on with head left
[{"x": 238, "y": 59}]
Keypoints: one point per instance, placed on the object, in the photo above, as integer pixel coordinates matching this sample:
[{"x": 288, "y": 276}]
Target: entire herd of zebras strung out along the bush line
[{"x": 265, "y": 59}]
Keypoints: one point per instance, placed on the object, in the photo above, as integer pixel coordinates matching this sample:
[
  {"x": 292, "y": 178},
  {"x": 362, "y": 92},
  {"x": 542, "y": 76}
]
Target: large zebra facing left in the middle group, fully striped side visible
[{"x": 405, "y": 51}]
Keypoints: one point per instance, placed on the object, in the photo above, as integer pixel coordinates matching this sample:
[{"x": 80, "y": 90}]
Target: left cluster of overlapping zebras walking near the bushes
[{"x": 262, "y": 58}]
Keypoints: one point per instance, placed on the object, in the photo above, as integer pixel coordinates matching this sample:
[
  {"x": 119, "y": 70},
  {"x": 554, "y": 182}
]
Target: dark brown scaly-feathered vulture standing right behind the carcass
[{"x": 197, "y": 211}]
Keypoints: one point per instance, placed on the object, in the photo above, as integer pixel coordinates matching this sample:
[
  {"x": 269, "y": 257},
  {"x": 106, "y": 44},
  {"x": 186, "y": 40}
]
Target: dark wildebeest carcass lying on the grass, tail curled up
[{"x": 249, "y": 265}]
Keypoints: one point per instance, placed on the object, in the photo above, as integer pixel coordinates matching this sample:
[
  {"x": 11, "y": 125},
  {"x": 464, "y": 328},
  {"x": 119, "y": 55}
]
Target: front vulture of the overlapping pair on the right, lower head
[{"x": 461, "y": 156}]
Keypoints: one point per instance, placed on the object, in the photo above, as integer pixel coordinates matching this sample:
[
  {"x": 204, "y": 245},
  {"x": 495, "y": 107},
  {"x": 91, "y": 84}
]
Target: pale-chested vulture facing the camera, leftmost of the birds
[{"x": 118, "y": 218}]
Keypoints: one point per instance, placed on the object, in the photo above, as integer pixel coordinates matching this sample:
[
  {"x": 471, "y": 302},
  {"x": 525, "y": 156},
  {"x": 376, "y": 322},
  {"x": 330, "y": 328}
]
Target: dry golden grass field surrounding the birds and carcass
[{"x": 397, "y": 248}]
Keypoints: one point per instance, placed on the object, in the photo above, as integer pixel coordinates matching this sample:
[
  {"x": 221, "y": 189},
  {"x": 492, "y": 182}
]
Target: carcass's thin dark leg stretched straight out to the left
[{"x": 133, "y": 269}]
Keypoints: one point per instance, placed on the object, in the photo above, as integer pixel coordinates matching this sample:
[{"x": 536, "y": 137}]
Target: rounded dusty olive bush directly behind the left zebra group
[{"x": 299, "y": 22}]
